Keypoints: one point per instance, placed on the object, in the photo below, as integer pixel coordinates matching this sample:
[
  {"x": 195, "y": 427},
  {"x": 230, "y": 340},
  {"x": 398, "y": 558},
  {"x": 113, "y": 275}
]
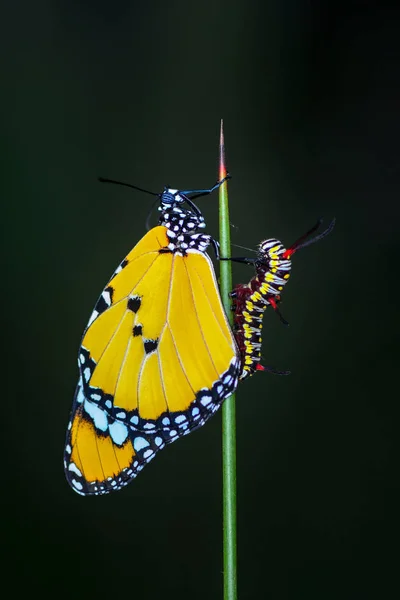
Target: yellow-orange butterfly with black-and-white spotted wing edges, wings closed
[{"x": 157, "y": 357}]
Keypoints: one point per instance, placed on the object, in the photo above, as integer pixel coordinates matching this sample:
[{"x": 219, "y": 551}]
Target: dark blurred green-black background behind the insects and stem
[{"x": 135, "y": 91}]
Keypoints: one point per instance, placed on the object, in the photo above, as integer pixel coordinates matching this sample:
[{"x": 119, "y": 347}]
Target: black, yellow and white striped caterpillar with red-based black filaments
[{"x": 273, "y": 265}]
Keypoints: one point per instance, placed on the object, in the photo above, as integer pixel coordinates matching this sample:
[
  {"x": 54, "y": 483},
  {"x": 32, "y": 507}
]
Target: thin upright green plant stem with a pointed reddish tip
[{"x": 228, "y": 408}]
